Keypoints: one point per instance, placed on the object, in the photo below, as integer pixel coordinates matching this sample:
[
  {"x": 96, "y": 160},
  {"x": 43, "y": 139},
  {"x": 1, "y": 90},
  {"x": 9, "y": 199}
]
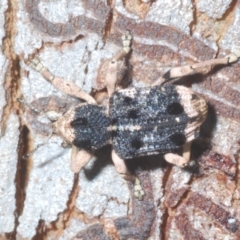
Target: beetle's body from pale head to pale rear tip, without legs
[{"x": 141, "y": 121}]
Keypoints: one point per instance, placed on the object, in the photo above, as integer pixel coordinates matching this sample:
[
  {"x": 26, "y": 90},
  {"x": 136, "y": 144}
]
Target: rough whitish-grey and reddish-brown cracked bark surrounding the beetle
[{"x": 40, "y": 198}]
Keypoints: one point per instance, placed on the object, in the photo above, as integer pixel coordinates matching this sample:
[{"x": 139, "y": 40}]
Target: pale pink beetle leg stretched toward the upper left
[{"x": 69, "y": 88}]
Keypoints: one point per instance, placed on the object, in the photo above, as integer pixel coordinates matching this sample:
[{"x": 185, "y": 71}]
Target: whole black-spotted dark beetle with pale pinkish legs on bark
[{"x": 136, "y": 121}]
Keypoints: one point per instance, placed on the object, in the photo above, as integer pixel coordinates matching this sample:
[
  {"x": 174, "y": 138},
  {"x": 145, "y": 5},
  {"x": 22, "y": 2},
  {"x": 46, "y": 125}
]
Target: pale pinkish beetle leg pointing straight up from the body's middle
[{"x": 111, "y": 74}]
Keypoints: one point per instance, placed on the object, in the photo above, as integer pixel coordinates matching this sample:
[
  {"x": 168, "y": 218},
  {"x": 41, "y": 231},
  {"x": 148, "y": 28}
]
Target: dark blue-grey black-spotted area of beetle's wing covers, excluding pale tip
[{"x": 152, "y": 113}]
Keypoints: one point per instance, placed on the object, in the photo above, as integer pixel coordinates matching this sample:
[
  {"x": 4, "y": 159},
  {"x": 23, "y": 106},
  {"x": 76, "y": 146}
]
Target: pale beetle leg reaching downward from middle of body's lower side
[{"x": 122, "y": 169}]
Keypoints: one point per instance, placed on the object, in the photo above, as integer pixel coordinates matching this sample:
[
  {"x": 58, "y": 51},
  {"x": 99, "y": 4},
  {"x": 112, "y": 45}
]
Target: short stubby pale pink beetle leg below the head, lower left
[{"x": 79, "y": 159}]
